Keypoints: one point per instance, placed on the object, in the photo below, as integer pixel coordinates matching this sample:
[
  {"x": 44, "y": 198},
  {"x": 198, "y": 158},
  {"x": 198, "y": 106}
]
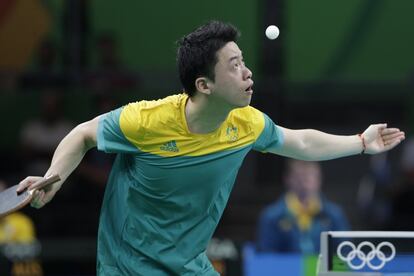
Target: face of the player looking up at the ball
[{"x": 233, "y": 80}]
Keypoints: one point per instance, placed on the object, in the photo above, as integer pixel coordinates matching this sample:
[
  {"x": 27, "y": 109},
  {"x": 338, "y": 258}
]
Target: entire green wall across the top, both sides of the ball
[{"x": 349, "y": 40}]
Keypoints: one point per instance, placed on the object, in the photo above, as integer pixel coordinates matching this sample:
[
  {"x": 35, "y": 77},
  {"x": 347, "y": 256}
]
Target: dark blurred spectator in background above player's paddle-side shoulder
[{"x": 110, "y": 75}]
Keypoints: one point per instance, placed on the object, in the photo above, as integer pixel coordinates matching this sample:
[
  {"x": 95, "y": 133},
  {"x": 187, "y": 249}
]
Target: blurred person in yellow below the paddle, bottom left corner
[{"x": 19, "y": 248}]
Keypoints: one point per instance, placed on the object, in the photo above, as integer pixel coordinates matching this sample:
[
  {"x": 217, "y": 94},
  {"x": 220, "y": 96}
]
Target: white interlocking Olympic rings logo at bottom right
[{"x": 356, "y": 253}]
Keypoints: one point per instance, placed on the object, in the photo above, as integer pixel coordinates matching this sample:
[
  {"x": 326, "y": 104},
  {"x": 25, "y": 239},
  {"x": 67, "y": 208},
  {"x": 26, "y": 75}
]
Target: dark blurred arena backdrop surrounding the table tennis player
[{"x": 336, "y": 67}]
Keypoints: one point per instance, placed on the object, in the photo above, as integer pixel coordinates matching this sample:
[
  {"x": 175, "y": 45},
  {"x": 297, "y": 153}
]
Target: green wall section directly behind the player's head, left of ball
[{"x": 147, "y": 30}]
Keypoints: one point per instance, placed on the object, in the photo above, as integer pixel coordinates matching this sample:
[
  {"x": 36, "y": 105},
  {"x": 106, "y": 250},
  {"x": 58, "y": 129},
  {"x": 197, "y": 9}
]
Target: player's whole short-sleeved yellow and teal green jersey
[{"x": 168, "y": 187}]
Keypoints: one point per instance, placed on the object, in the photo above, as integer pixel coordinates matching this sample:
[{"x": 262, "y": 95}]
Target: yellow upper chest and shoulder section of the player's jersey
[{"x": 159, "y": 127}]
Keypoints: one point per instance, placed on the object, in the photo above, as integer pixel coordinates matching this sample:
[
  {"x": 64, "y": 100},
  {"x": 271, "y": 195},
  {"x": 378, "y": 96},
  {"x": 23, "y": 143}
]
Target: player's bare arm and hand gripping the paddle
[{"x": 66, "y": 158}]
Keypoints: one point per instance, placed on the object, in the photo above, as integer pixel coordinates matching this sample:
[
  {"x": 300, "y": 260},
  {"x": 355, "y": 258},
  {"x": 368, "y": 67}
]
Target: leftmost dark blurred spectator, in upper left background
[{"x": 45, "y": 72}]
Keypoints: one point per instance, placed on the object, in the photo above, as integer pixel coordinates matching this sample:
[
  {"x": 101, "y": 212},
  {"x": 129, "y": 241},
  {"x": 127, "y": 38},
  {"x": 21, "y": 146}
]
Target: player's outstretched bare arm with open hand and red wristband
[{"x": 310, "y": 144}]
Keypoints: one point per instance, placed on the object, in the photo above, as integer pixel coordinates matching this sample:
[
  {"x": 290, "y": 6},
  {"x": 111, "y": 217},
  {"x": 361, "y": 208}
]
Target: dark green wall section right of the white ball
[{"x": 349, "y": 40}]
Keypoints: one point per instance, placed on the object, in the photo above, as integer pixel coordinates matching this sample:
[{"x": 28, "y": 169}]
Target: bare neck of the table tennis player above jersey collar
[{"x": 203, "y": 115}]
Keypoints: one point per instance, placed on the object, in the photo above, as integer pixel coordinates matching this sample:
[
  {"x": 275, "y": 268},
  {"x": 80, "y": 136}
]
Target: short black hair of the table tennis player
[{"x": 197, "y": 52}]
